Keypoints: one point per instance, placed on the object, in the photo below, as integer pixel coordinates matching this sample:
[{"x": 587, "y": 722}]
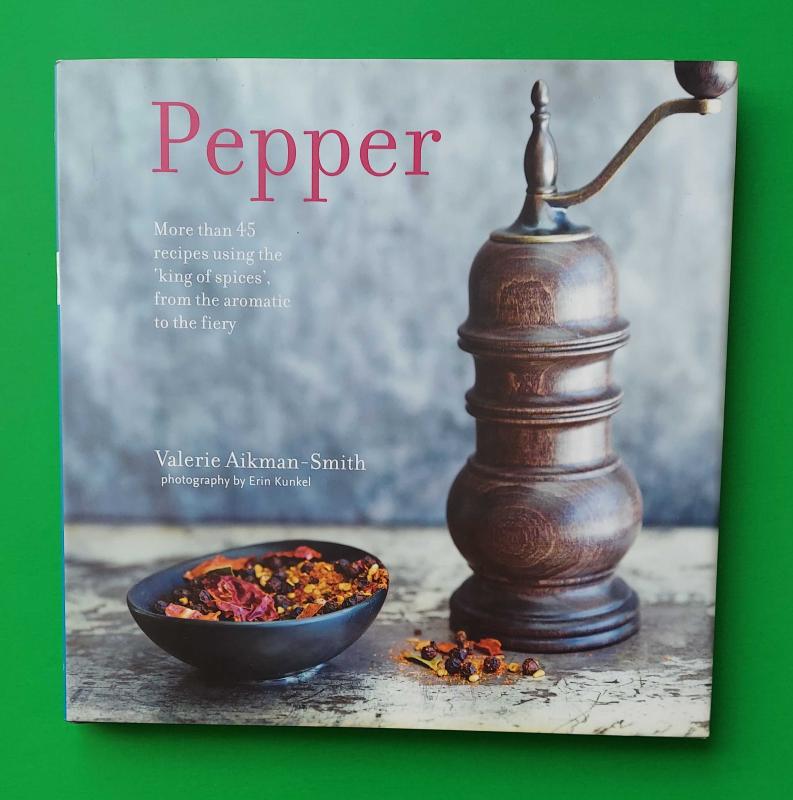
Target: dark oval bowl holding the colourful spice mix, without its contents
[{"x": 252, "y": 650}]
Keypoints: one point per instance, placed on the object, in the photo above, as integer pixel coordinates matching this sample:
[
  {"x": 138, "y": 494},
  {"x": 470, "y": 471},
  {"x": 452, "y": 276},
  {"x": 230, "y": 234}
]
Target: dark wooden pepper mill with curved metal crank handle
[{"x": 544, "y": 509}]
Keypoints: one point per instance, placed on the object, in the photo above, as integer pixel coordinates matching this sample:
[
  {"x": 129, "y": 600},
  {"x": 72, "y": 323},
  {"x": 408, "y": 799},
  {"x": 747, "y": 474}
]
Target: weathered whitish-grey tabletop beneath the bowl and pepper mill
[{"x": 655, "y": 684}]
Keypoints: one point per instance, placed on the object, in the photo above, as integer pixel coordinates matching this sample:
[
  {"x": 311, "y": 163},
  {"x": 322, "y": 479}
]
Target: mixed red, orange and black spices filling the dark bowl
[{"x": 290, "y": 584}]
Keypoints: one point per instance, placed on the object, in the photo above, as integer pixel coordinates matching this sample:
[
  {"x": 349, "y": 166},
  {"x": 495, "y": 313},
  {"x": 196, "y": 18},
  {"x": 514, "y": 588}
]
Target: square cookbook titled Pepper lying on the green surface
[{"x": 356, "y": 431}]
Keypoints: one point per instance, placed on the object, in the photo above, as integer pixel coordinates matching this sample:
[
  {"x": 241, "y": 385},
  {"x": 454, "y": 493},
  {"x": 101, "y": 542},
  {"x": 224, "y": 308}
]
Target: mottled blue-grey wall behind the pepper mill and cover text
[{"x": 366, "y": 360}]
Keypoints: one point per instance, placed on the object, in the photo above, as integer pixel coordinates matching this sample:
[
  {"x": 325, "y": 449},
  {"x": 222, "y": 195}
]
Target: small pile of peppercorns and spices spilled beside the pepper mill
[{"x": 461, "y": 658}]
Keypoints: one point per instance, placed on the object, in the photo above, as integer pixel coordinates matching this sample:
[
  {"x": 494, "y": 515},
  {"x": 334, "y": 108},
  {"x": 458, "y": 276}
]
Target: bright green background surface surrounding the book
[{"x": 41, "y": 755}]
